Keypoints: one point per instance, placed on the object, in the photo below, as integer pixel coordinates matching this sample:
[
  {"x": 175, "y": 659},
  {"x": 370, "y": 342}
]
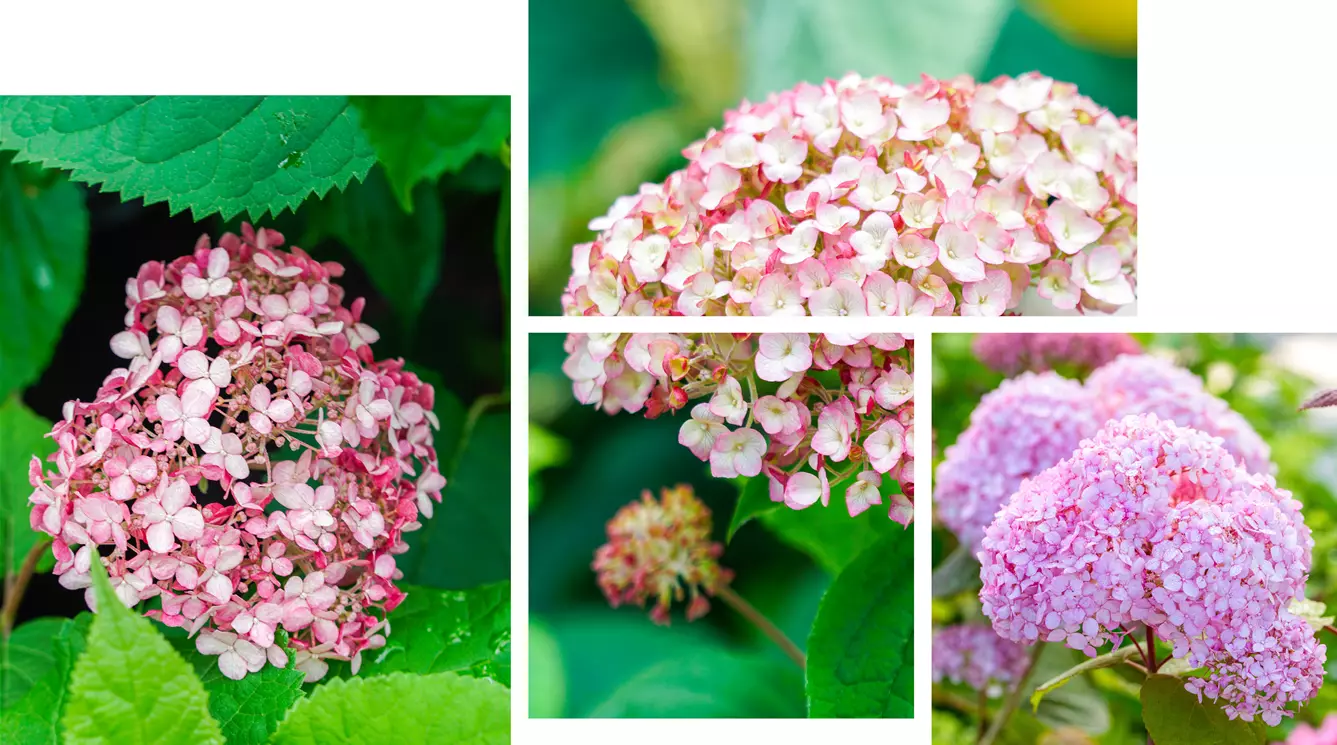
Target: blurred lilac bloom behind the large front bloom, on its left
[{"x": 1026, "y": 426}]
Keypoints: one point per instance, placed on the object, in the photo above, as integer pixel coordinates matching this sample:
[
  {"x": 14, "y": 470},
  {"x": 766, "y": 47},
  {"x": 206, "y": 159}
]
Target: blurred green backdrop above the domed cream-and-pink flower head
[{"x": 621, "y": 88}]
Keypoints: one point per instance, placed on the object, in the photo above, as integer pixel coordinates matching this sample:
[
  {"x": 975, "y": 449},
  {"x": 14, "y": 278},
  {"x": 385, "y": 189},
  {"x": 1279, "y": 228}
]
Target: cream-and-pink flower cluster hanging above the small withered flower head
[{"x": 812, "y": 414}]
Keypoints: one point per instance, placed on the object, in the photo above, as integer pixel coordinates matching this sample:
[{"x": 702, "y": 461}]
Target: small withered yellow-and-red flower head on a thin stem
[{"x": 661, "y": 552}]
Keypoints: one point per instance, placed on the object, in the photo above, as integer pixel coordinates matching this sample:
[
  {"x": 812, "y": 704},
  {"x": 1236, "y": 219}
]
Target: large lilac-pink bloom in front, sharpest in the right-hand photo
[{"x": 1154, "y": 525}]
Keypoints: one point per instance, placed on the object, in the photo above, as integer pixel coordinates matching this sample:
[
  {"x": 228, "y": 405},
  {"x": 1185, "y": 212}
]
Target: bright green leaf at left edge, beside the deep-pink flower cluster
[{"x": 22, "y": 437}]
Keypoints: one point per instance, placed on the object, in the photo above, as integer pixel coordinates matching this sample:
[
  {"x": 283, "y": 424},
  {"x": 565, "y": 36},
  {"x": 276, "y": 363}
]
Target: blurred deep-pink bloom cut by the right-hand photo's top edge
[{"x": 1014, "y": 354}]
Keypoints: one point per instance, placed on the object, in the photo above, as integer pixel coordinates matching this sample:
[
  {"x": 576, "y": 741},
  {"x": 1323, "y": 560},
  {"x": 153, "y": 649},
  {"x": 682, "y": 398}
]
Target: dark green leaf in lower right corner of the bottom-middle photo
[{"x": 862, "y": 653}]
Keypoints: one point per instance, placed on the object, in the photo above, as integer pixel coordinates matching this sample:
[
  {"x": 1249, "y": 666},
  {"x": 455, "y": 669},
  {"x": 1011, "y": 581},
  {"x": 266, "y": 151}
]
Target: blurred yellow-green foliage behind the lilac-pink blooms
[{"x": 1260, "y": 378}]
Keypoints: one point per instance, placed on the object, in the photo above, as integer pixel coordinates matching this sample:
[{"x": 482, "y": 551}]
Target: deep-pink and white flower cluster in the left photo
[{"x": 253, "y": 467}]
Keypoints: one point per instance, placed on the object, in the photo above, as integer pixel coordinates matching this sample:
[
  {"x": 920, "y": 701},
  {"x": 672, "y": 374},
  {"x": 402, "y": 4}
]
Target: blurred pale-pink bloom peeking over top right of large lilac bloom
[{"x": 1149, "y": 385}]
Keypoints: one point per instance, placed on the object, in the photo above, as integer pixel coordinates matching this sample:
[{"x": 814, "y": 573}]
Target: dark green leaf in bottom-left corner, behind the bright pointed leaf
[{"x": 35, "y": 718}]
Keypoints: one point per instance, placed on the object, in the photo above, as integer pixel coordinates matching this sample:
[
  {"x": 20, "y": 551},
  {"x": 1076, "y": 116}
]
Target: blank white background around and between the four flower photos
[{"x": 1239, "y": 208}]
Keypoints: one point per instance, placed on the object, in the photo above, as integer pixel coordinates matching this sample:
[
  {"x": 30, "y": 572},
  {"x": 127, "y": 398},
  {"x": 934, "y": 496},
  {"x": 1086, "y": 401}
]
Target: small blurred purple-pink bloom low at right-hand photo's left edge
[{"x": 977, "y": 656}]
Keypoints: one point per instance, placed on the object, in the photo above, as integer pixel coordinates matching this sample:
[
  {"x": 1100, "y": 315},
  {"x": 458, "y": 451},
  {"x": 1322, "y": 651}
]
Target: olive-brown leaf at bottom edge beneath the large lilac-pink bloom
[{"x": 1176, "y": 718}]
